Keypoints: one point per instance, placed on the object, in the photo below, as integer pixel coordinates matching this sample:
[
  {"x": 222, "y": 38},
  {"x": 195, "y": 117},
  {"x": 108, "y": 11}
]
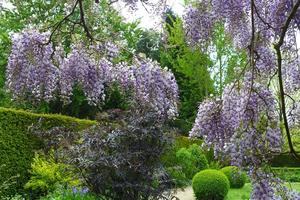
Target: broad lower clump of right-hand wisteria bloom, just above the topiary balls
[{"x": 243, "y": 124}]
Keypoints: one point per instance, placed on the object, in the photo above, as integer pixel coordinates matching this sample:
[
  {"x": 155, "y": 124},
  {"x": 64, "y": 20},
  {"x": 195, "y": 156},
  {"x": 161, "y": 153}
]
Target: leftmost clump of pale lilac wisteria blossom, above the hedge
[{"x": 30, "y": 71}]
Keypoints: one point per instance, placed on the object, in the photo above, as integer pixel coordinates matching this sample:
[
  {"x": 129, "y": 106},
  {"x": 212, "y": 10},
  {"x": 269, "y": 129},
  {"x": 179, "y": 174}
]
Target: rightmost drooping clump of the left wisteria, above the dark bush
[{"x": 155, "y": 88}]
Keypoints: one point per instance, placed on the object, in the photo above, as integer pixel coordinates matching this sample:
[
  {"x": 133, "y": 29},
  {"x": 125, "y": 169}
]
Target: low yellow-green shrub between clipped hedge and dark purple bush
[{"x": 46, "y": 175}]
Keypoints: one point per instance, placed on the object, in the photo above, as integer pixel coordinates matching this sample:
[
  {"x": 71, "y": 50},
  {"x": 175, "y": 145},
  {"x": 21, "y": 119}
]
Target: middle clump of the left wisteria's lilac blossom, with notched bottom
[{"x": 78, "y": 69}]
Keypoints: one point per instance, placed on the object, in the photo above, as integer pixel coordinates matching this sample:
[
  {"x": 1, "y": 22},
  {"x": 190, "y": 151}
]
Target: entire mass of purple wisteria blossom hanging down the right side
[{"x": 243, "y": 124}]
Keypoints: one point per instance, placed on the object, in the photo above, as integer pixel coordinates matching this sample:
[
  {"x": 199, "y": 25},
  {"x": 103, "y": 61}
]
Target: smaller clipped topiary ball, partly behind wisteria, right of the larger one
[{"x": 236, "y": 177}]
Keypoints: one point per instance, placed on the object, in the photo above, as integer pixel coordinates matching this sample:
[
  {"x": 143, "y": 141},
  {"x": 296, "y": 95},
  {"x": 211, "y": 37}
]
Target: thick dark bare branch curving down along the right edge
[{"x": 277, "y": 47}]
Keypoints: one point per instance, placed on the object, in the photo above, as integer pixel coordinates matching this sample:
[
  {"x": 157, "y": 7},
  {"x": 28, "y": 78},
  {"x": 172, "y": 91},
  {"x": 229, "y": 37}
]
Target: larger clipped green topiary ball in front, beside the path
[{"x": 210, "y": 184}]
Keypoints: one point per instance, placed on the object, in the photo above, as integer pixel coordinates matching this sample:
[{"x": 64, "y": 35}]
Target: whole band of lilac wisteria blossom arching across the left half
[{"x": 37, "y": 72}]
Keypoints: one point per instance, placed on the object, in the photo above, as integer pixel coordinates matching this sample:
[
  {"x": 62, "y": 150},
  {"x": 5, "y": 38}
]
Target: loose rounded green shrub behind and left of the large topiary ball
[{"x": 192, "y": 160}]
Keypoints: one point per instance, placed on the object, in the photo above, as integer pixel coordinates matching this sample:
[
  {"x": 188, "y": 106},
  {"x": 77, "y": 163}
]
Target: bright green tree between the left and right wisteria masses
[{"x": 191, "y": 69}]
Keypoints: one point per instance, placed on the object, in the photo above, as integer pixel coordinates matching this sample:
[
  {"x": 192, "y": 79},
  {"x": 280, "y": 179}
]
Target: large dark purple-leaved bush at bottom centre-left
[{"x": 120, "y": 159}]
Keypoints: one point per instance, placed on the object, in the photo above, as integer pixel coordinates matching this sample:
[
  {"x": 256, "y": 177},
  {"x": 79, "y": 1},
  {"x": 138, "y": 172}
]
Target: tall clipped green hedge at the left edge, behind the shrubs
[{"x": 17, "y": 145}]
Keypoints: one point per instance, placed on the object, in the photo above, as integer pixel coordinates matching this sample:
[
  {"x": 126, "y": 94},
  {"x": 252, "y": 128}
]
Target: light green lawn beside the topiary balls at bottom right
[{"x": 244, "y": 193}]
